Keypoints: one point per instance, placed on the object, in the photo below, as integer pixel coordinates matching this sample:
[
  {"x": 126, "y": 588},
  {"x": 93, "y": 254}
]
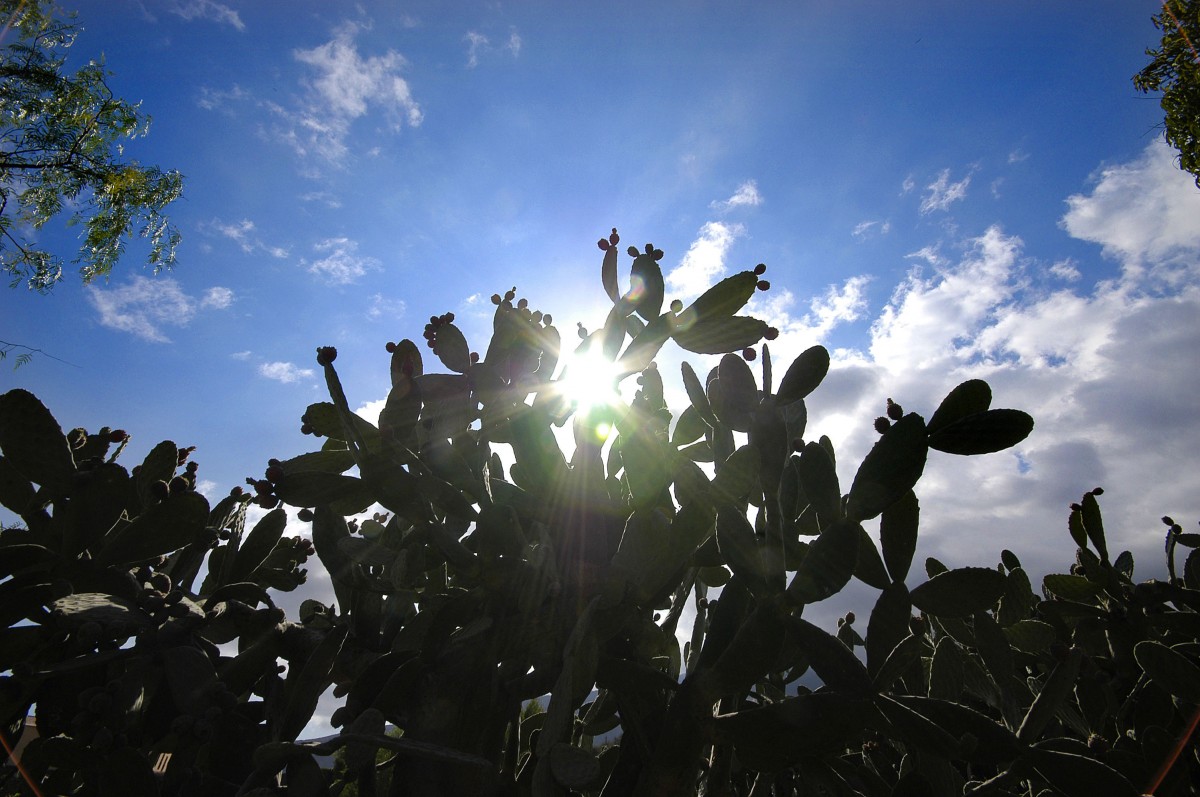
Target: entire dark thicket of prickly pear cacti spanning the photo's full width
[{"x": 481, "y": 583}]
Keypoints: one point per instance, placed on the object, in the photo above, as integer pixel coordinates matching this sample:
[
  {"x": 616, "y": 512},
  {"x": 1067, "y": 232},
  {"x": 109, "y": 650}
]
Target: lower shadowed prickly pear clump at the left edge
[{"x": 140, "y": 682}]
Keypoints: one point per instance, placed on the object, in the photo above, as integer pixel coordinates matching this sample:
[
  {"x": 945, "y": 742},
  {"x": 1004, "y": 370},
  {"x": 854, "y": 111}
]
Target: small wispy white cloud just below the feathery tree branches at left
[{"x": 147, "y": 307}]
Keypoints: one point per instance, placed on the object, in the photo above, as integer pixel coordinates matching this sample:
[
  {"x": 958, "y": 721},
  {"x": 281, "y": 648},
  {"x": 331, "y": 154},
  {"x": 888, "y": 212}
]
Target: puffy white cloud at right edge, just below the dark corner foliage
[{"x": 1139, "y": 212}]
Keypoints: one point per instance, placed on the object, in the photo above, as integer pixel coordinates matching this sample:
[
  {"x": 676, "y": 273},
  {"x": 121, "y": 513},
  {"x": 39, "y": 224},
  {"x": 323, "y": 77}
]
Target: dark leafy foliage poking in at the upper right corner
[{"x": 1175, "y": 71}]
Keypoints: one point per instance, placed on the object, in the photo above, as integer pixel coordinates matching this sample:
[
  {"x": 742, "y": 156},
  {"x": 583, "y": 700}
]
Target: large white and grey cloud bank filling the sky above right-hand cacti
[{"x": 1103, "y": 368}]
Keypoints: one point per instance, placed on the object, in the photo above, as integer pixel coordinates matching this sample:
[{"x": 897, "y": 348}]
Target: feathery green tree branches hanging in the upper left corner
[{"x": 61, "y": 147}]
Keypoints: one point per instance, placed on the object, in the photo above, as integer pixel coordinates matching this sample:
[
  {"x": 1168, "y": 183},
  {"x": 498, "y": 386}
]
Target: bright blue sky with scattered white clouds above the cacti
[{"x": 941, "y": 191}]
